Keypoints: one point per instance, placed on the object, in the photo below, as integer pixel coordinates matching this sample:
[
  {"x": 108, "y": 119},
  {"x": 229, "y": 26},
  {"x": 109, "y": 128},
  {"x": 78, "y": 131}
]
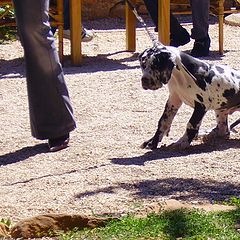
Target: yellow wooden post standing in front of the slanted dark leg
[{"x": 164, "y": 21}]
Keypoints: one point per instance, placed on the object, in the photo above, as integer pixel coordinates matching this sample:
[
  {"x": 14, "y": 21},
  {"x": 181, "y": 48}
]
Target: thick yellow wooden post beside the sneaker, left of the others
[{"x": 76, "y": 31}]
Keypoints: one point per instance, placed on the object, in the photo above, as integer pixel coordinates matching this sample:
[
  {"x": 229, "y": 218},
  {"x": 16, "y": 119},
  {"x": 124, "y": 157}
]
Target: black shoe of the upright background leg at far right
[{"x": 201, "y": 47}]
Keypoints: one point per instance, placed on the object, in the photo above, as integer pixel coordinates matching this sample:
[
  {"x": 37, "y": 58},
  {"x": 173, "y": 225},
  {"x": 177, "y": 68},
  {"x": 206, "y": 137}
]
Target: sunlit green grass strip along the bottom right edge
[{"x": 169, "y": 225}]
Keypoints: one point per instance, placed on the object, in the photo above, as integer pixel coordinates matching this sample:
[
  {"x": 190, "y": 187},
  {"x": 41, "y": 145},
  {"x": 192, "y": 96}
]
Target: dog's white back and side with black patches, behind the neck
[{"x": 219, "y": 85}]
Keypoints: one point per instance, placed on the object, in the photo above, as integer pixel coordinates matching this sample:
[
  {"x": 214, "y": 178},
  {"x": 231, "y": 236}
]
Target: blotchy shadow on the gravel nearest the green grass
[{"x": 176, "y": 188}]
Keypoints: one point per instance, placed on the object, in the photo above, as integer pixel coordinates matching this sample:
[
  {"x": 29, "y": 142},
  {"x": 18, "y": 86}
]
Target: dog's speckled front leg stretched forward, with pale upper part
[{"x": 164, "y": 123}]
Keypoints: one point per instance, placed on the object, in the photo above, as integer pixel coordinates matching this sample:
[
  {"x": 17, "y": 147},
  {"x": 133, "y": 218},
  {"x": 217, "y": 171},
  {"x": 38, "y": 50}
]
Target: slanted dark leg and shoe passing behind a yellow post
[{"x": 178, "y": 34}]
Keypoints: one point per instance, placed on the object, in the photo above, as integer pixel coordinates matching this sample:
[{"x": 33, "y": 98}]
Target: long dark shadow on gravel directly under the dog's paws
[{"x": 168, "y": 152}]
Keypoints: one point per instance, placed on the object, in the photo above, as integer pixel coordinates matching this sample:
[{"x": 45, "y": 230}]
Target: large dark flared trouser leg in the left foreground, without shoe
[{"x": 50, "y": 109}]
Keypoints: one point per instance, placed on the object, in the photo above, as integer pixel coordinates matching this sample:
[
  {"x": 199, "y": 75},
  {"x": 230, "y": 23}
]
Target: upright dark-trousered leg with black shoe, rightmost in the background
[{"x": 200, "y": 18}]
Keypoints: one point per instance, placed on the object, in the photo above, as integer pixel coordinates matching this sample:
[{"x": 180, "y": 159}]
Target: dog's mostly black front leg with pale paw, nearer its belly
[{"x": 192, "y": 127}]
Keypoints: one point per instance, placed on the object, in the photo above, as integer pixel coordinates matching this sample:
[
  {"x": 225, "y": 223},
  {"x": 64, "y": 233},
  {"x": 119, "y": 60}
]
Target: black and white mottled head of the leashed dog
[{"x": 157, "y": 64}]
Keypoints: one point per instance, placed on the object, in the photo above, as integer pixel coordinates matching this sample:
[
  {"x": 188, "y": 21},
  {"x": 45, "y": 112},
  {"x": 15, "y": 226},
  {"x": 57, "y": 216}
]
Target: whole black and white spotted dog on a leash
[{"x": 194, "y": 82}]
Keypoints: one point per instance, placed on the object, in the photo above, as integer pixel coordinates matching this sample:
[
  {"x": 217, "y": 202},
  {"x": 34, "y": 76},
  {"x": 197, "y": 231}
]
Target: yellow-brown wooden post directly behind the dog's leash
[{"x": 130, "y": 28}]
